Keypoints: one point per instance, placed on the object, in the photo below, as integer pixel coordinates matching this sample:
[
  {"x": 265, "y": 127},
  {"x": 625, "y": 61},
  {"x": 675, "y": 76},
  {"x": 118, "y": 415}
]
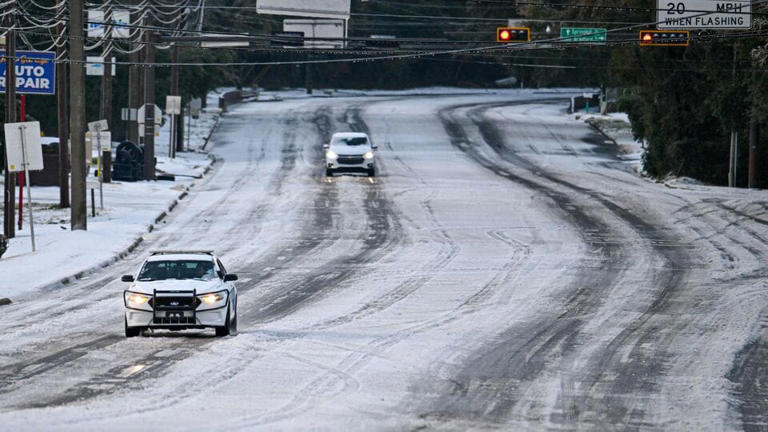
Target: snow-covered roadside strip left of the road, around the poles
[{"x": 129, "y": 211}]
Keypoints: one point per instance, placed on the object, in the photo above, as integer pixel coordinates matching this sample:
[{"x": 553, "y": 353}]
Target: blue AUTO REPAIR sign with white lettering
[{"x": 35, "y": 72}]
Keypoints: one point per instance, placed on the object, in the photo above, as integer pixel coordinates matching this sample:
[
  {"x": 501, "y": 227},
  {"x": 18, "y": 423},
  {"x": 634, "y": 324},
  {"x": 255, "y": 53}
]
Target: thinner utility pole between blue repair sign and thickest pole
[{"x": 61, "y": 100}]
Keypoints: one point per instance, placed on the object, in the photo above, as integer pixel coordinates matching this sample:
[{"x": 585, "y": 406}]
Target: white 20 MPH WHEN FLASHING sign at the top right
[{"x": 703, "y": 14}]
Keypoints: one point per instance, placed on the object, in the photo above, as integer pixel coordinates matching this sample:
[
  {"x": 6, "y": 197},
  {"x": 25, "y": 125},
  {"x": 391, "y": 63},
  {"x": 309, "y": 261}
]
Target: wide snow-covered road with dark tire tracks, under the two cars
[{"x": 506, "y": 270}]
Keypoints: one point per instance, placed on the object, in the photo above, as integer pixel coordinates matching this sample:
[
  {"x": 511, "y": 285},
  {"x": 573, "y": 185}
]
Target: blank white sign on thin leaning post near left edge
[{"x": 24, "y": 152}]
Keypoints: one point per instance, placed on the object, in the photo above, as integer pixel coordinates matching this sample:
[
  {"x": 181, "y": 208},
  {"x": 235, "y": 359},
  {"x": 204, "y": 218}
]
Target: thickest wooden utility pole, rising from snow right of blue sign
[{"x": 79, "y": 210}]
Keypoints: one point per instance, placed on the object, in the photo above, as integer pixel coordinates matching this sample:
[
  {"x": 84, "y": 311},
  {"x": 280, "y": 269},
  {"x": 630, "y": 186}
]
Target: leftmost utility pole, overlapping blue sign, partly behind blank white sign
[{"x": 10, "y": 117}]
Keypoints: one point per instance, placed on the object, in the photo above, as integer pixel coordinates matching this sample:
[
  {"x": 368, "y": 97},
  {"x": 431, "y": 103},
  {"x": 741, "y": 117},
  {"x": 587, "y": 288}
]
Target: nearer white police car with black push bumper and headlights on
[{"x": 179, "y": 290}]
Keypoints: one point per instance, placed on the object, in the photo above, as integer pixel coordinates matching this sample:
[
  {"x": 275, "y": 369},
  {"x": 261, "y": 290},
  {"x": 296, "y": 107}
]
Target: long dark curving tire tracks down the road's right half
[{"x": 498, "y": 395}]
